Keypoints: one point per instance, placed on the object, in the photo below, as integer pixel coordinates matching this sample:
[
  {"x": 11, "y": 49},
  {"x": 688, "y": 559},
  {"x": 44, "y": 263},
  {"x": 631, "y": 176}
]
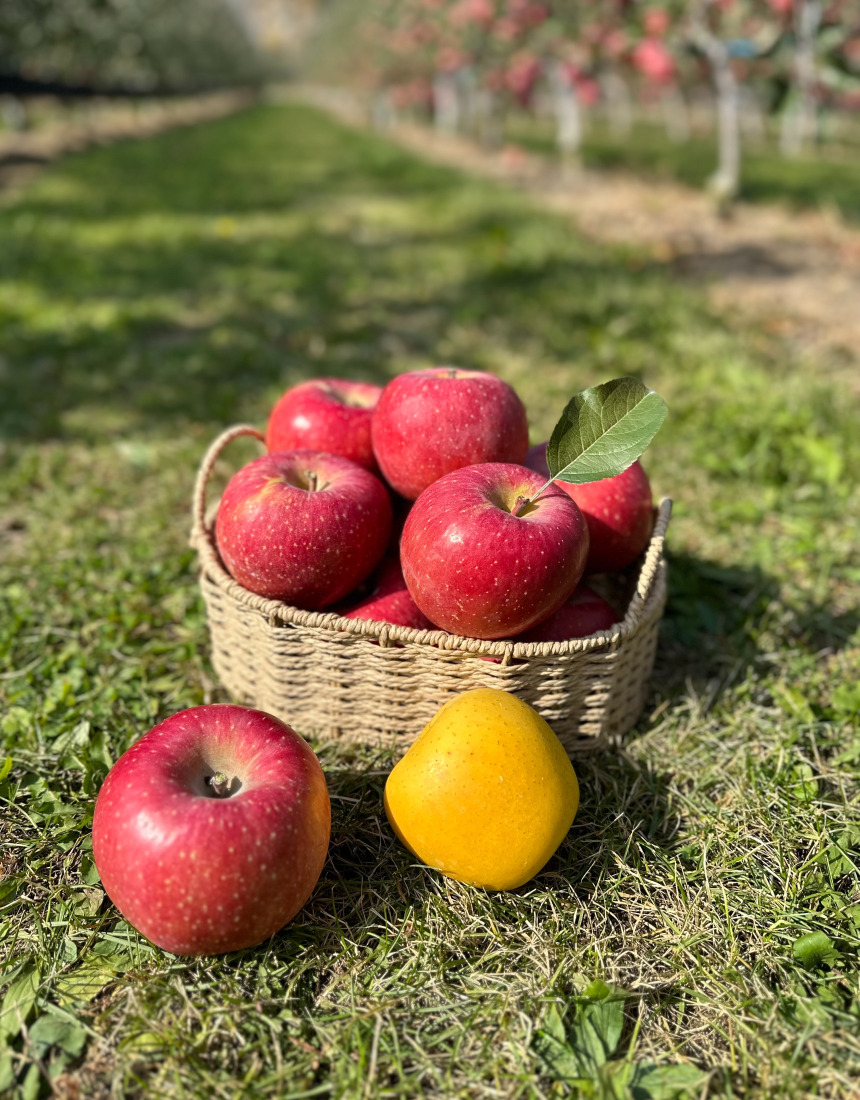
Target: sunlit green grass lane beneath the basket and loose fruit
[{"x": 152, "y": 293}]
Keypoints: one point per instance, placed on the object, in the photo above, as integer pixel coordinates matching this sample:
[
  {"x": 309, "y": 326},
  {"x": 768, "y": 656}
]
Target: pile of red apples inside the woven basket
[{"x": 422, "y": 505}]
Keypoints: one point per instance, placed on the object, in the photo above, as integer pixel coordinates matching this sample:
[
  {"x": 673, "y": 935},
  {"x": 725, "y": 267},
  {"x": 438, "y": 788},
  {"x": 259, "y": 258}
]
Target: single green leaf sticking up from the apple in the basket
[{"x": 604, "y": 431}]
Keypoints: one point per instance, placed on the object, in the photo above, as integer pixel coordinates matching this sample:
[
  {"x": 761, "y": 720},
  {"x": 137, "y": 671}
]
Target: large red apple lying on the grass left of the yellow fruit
[{"x": 202, "y": 875}]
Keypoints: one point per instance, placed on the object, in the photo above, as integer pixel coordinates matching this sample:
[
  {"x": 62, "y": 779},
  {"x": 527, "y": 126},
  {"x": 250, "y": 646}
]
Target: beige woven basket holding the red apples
[{"x": 369, "y": 683}]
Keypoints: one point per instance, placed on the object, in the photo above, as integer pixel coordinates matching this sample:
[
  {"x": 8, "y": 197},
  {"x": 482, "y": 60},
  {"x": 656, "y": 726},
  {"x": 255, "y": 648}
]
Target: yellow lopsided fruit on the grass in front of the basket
[{"x": 487, "y": 794}]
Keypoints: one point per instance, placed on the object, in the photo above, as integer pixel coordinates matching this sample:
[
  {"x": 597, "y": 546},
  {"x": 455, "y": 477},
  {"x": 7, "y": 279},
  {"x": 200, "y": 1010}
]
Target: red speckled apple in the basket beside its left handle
[{"x": 310, "y": 549}]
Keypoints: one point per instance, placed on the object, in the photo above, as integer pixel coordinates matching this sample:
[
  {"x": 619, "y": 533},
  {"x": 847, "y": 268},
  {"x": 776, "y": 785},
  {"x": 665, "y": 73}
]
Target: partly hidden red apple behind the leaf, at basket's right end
[{"x": 619, "y": 511}]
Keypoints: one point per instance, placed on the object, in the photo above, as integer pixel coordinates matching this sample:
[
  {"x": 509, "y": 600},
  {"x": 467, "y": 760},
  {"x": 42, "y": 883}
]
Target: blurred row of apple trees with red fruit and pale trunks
[{"x": 469, "y": 62}]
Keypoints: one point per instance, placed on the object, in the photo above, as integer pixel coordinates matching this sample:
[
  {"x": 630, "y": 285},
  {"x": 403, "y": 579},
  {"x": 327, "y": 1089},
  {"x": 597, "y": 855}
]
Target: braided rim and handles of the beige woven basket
[{"x": 646, "y": 603}]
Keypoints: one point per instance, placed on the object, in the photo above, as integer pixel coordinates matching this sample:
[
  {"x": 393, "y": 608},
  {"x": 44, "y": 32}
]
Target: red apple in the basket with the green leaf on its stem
[{"x": 475, "y": 568}]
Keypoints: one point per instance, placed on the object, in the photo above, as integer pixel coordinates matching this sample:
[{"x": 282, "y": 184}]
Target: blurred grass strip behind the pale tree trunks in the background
[{"x": 821, "y": 179}]
